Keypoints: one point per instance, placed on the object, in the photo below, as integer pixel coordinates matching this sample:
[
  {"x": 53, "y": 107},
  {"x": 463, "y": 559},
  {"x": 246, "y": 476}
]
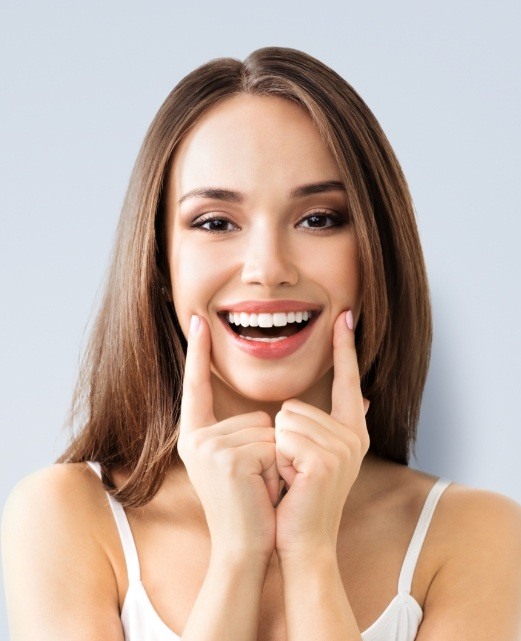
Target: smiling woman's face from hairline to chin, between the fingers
[{"x": 258, "y": 227}]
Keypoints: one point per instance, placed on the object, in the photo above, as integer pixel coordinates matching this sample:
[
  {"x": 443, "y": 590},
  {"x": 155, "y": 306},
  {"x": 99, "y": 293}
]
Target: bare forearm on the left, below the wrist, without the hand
[{"x": 227, "y": 607}]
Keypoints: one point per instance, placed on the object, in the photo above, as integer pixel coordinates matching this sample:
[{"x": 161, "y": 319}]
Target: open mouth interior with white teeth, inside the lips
[{"x": 266, "y": 327}]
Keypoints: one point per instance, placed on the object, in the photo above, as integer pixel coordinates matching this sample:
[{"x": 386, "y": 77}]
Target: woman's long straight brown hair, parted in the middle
[{"x": 128, "y": 396}]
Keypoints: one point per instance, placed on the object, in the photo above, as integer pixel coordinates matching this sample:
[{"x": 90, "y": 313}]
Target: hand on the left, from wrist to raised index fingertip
[{"x": 231, "y": 464}]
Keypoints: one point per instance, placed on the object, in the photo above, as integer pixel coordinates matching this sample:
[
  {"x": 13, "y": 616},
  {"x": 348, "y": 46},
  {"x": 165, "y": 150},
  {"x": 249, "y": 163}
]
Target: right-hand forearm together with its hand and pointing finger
[{"x": 319, "y": 457}]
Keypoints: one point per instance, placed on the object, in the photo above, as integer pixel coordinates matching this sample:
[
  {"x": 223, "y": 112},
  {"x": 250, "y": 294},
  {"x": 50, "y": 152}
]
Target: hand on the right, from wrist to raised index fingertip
[{"x": 319, "y": 455}]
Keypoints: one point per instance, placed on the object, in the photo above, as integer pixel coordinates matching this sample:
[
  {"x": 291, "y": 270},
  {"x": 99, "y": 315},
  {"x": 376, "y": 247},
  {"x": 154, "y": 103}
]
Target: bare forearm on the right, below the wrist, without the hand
[{"x": 315, "y": 601}]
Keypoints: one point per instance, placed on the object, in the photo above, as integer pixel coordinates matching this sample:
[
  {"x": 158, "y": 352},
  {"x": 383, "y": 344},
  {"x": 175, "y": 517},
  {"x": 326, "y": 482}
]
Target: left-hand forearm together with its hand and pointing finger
[{"x": 232, "y": 467}]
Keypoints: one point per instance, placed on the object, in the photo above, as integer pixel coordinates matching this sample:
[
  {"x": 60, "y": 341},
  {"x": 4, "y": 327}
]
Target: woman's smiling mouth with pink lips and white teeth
[{"x": 269, "y": 334}]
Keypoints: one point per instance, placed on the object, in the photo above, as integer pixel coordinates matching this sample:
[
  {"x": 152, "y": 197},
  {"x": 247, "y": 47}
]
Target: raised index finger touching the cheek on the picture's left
[{"x": 197, "y": 401}]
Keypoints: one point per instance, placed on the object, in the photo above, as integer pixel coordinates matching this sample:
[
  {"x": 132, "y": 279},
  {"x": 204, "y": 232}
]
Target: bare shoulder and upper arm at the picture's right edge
[{"x": 476, "y": 594}]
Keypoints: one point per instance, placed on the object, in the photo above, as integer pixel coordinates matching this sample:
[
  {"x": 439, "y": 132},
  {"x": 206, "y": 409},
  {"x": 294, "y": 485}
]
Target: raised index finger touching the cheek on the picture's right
[{"x": 347, "y": 403}]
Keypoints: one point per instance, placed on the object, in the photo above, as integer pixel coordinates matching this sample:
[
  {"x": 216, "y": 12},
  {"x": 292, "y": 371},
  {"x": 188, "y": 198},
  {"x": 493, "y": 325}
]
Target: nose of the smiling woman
[{"x": 268, "y": 260}]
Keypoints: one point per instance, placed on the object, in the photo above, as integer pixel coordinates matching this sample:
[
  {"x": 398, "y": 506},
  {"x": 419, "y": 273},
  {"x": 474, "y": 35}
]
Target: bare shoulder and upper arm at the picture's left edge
[{"x": 59, "y": 582}]
